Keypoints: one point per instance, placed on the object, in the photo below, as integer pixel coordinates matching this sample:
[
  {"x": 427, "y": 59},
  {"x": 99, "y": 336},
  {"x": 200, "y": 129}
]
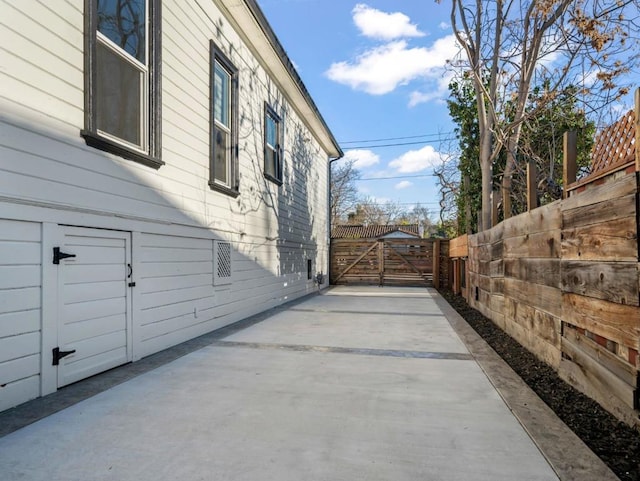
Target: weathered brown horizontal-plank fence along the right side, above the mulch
[{"x": 563, "y": 281}]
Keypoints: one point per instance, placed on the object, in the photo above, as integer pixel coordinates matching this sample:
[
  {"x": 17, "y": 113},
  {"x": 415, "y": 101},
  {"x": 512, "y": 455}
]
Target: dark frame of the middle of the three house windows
[{"x": 217, "y": 56}]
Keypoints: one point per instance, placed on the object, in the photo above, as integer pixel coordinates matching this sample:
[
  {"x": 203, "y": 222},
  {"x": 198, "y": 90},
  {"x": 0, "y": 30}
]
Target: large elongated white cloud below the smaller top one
[{"x": 382, "y": 69}]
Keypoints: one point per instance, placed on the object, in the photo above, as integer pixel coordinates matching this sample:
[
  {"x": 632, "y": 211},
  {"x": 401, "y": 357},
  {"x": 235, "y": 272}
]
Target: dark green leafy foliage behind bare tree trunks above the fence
[{"x": 541, "y": 140}]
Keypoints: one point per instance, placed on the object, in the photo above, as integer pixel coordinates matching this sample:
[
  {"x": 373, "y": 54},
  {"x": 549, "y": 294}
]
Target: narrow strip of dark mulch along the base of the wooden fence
[{"x": 616, "y": 443}]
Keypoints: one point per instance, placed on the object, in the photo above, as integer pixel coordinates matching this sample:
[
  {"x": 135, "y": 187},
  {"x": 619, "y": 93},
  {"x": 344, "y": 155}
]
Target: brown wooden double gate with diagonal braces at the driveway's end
[{"x": 391, "y": 261}]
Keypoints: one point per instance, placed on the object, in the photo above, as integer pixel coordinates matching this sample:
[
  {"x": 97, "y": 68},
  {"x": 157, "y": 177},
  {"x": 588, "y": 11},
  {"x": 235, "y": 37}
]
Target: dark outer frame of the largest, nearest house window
[{"x": 90, "y": 133}]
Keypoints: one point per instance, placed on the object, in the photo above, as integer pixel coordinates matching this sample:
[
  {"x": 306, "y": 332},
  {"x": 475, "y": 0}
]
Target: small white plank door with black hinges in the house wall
[{"x": 94, "y": 304}]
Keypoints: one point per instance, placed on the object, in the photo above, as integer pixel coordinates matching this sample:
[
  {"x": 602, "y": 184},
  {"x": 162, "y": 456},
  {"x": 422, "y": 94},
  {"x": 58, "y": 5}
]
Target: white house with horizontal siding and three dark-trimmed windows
[{"x": 163, "y": 173}]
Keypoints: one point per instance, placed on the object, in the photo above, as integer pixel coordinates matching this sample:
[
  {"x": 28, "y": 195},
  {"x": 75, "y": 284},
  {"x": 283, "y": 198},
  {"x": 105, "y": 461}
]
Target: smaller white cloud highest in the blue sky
[{"x": 383, "y": 26}]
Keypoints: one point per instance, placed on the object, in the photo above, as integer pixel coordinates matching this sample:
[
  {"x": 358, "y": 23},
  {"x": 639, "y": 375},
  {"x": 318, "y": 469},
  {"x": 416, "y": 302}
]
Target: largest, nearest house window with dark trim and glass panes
[{"x": 122, "y": 78}]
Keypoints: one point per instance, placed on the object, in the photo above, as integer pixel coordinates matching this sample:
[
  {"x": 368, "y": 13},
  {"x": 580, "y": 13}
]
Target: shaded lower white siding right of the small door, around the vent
[{"x": 178, "y": 300}]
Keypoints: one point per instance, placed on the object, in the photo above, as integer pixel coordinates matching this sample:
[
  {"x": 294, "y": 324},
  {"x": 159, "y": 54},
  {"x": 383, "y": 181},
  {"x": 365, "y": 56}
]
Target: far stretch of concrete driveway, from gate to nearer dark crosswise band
[{"x": 369, "y": 317}]
